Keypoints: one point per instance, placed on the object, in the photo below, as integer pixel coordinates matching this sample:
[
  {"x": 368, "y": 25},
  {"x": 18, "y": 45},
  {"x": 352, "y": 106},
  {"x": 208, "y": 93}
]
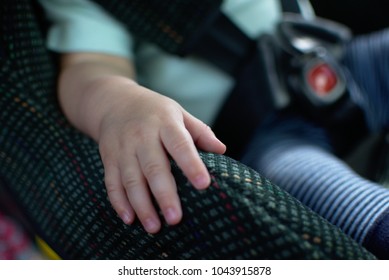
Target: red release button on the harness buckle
[{"x": 322, "y": 79}]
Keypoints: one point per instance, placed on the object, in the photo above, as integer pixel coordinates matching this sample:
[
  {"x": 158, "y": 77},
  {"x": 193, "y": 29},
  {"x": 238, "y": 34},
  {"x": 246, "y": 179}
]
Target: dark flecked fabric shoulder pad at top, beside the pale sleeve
[{"x": 168, "y": 23}]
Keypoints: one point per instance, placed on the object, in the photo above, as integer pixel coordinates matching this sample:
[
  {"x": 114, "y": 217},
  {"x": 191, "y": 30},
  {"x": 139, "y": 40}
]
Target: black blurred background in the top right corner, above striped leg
[{"x": 362, "y": 16}]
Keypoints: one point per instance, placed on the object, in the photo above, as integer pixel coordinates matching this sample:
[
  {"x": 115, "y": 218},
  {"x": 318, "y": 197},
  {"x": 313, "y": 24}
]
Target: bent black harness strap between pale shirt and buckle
[{"x": 227, "y": 47}]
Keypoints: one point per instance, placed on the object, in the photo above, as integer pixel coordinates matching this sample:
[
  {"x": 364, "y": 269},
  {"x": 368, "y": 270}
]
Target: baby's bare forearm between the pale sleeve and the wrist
[{"x": 87, "y": 87}]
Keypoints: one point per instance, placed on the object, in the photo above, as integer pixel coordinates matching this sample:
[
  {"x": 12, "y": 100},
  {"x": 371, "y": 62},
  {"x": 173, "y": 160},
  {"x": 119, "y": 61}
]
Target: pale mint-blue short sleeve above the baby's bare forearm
[{"x": 83, "y": 26}]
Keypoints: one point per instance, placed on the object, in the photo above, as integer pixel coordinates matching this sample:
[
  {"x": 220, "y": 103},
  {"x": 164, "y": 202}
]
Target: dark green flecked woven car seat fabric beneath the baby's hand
[{"x": 56, "y": 176}]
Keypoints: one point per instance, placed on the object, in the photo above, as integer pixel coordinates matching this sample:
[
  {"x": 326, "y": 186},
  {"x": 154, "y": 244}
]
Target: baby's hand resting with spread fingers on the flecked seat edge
[{"x": 135, "y": 138}]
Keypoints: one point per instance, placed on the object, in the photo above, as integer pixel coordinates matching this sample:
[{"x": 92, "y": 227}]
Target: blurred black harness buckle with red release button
[{"x": 309, "y": 53}]
